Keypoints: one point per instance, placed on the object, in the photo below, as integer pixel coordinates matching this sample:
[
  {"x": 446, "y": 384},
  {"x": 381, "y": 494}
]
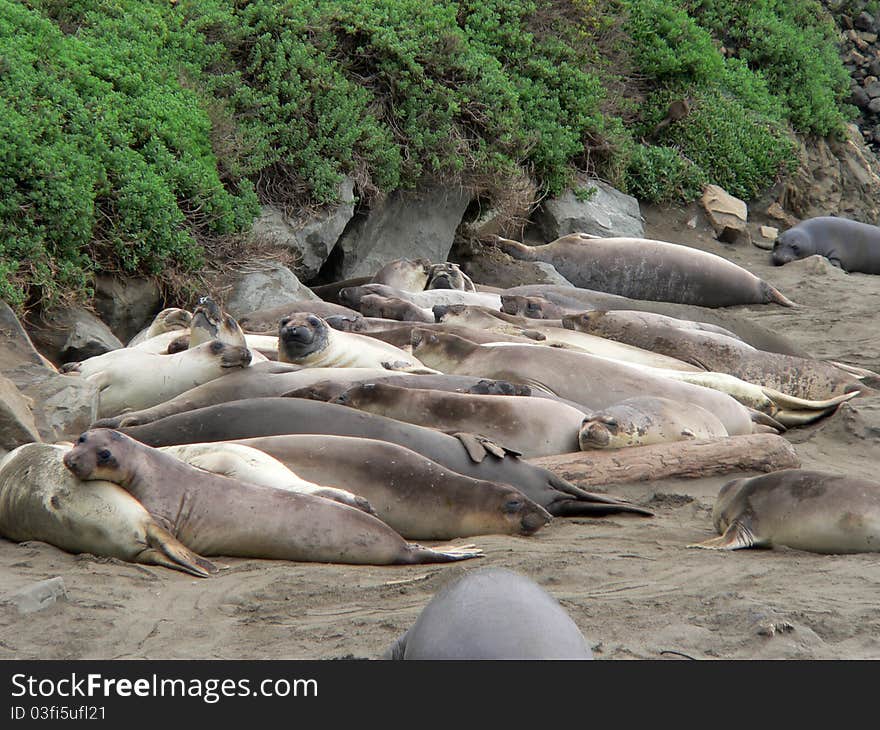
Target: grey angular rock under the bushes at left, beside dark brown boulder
[{"x": 70, "y": 335}]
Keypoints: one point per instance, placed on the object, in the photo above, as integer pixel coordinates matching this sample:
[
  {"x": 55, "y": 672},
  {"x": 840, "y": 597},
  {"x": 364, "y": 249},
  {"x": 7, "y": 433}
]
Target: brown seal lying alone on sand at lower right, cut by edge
[{"x": 805, "y": 510}]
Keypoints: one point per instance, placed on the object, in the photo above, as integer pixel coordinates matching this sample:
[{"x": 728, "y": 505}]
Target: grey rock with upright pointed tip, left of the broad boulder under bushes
[{"x": 312, "y": 237}]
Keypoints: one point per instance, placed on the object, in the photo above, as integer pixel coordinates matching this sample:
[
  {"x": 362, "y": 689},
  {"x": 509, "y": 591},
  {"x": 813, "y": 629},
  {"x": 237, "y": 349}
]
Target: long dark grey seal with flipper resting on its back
[{"x": 466, "y": 454}]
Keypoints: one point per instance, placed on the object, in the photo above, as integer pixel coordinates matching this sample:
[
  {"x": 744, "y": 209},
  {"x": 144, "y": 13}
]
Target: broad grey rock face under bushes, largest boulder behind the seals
[{"x": 404, "y": 225}]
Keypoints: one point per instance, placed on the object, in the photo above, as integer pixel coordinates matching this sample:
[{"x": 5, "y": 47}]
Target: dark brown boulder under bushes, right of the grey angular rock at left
[{"x": 126, "y": 305}]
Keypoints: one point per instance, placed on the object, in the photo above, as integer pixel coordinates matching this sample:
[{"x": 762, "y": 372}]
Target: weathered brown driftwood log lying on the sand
[{"x": 754, "y": 452}]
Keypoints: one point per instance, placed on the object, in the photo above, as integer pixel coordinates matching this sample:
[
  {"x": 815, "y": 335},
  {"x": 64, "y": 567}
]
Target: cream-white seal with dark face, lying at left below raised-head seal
[{"x": 135, "y": 379}]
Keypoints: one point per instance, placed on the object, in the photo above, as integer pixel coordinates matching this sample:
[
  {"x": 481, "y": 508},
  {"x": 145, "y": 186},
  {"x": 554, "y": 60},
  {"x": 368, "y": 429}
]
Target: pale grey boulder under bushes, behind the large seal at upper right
[{"x": 608, "y": 212}]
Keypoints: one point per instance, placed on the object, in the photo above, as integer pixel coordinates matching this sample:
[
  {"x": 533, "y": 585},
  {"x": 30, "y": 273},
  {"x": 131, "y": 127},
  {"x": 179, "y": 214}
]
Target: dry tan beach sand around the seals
[{"x": 630, "y": 584}]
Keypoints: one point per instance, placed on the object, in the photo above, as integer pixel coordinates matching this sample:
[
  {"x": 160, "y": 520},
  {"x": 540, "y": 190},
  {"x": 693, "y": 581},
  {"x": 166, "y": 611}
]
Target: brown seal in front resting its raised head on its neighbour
[{"x": 216, "y": 515}]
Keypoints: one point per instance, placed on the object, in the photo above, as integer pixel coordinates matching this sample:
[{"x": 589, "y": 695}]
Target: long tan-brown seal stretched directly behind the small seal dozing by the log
[{"x": 591, "y": 381}]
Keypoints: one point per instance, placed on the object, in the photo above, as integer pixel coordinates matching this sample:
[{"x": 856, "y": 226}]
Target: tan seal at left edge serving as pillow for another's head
[{"x": 41, "y": 500}]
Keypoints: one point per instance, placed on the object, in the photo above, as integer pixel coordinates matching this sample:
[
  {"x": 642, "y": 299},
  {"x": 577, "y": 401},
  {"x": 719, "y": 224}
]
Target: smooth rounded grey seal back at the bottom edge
[{"x": 492, "y": 613}]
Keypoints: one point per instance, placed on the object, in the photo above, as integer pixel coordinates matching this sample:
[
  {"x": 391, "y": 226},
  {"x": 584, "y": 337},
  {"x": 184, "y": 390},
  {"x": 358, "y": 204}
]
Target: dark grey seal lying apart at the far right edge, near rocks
[{"x": 847, "y": 244}]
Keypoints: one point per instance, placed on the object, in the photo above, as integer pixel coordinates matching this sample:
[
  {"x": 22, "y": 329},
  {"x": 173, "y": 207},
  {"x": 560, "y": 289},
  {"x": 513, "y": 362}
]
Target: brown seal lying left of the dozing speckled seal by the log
[{"x": 531, "y": 426}]
